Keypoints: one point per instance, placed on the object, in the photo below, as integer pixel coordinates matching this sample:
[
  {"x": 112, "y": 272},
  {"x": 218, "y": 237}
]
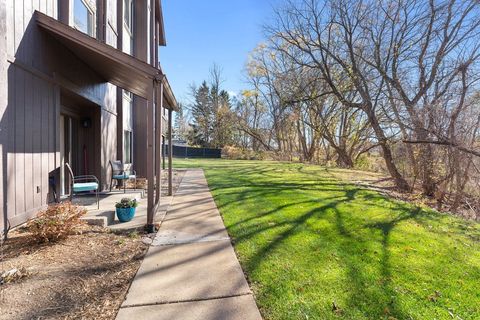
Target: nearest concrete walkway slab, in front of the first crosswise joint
[{"x": 232, "y": 308}]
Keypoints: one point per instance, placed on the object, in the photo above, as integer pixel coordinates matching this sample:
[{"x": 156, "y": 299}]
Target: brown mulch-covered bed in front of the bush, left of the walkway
[{"x": 86, "y": 276}]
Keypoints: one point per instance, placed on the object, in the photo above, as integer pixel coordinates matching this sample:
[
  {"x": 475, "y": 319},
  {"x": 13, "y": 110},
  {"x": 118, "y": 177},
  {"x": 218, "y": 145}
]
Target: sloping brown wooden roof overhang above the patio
[{"x": 113, "y": 65}]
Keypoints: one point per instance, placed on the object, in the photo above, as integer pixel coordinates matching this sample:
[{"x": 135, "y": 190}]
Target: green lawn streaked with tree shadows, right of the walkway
[{"x": 314, "y": 247}]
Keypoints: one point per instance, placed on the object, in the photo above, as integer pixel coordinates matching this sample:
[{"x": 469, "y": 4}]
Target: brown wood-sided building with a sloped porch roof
[{"x": 80, "y": 83}]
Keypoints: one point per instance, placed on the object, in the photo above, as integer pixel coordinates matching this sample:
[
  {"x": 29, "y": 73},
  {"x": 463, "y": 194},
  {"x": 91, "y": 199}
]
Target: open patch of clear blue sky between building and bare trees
[{"x": 200, "y": 33}]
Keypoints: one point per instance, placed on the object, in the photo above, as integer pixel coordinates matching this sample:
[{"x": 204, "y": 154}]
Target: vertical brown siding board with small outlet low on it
[{"x": 37, "y": 143}]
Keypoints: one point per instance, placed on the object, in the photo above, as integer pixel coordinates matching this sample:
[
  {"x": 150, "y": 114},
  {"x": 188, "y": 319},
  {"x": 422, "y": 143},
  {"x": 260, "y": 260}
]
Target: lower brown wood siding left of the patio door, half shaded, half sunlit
[{"x": 31, "y": 149}]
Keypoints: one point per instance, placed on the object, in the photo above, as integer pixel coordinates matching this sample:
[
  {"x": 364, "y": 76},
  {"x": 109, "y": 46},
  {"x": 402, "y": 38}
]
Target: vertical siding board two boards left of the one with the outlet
[{"x": 19, "y": 140}]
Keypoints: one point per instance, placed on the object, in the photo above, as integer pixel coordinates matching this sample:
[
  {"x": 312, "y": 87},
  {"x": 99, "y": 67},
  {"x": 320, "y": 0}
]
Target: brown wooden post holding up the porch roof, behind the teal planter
[{"x": 150, "y": 227}]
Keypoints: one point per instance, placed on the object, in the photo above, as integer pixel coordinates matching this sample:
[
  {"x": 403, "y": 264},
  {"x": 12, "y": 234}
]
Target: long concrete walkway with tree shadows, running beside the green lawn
[{"x": 190, "y": 271}]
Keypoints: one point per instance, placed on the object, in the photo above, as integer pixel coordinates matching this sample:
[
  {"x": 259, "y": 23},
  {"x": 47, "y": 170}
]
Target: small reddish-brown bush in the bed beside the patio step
[{"x": 57, "y": 222}]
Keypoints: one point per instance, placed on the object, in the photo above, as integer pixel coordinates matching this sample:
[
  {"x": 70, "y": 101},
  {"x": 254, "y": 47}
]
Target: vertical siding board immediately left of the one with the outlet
[{"x": 29, "y": 170}]
